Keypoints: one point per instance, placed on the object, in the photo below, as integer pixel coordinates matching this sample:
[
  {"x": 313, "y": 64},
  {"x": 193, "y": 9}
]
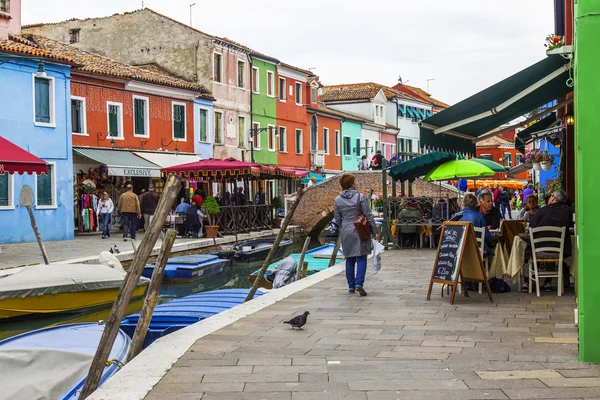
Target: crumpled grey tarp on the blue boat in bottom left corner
[{"x": 44, "y": 374}]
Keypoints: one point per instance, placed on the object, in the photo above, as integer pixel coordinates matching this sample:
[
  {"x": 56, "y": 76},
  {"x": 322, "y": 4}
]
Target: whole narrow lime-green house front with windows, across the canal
[{"x": 263, "y": 134}]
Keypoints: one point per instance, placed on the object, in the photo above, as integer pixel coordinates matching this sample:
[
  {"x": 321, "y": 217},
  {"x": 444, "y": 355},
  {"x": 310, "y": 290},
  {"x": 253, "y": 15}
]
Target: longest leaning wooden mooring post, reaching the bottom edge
[{"x": 129, "y": 284}]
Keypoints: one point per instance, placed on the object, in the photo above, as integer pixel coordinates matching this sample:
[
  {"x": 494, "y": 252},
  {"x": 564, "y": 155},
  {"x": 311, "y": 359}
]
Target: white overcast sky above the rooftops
[{"x": 465, "y": 45}]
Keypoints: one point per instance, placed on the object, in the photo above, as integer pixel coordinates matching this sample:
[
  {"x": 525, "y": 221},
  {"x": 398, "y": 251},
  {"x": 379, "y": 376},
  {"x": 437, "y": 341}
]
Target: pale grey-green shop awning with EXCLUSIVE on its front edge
[{"x": 120, "y": 162}]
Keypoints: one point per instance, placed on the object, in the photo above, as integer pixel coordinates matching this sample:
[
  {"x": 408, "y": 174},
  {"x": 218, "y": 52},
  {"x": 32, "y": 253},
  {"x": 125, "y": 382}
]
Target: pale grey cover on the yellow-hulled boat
[{"x": 40, "y": 280}]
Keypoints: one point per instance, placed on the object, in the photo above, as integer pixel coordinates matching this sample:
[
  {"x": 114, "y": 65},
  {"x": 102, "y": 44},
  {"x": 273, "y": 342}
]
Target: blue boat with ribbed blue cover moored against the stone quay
[{"x": 177, "y": 314}]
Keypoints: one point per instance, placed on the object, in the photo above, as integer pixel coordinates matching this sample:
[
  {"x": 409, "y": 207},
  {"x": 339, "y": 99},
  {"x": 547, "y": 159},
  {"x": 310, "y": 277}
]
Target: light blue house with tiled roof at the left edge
[{"x": 35, "y": 115}]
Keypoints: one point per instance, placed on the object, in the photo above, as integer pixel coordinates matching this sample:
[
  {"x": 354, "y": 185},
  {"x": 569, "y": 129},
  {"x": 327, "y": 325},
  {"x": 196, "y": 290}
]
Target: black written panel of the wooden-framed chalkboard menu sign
[{"x": 450, "y": 251}]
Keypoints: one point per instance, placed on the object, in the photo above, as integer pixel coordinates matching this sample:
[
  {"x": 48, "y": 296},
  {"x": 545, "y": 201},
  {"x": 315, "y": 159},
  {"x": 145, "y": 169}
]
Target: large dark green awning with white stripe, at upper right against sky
[{"x": 539, "y": 84}]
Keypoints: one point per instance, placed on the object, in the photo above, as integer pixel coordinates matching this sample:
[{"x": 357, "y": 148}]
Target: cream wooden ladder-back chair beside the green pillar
[{"x": 547, "y": 247}]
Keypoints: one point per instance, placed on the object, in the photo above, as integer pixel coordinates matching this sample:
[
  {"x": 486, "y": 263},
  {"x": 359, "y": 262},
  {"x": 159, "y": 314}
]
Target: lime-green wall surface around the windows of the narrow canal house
[{"x": 264, "y": 111}]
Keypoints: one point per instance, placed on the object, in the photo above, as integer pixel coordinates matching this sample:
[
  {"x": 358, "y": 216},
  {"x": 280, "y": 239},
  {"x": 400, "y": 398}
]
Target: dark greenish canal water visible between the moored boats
[{"x": 235, "y": 276}]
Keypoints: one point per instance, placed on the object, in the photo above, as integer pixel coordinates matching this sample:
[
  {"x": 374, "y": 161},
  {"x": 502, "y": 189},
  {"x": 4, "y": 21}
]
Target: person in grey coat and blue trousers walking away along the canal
[{"x": 347, "y": 207}]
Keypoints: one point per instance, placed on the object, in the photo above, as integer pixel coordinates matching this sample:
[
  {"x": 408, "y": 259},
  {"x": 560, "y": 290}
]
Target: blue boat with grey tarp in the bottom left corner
[{"x": 53, "y": 362}]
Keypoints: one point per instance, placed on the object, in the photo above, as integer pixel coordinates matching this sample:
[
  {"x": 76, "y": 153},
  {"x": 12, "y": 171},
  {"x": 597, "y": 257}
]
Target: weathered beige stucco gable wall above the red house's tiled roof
[{"x": 141, "y": 37}]
